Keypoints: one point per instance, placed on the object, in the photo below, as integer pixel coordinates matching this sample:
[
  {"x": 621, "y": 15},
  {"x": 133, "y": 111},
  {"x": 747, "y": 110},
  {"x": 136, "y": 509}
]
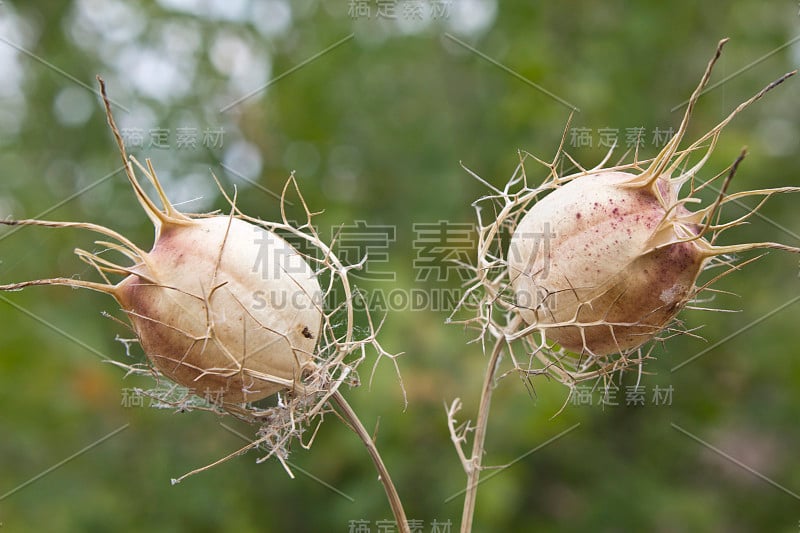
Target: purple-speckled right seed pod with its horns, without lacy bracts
[{"x": 604, "y": 262}]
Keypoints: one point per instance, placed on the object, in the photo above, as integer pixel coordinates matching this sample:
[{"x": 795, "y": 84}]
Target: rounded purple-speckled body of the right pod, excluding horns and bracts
[{"x": 607, "y": 256}]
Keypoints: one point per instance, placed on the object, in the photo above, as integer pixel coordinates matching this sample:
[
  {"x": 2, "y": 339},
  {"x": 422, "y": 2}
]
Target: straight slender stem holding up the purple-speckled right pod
[{"x": 475, "y": 462}]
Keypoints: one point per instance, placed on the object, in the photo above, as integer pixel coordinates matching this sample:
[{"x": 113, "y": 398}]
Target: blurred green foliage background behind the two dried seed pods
[{"x": 375, "y": 129}]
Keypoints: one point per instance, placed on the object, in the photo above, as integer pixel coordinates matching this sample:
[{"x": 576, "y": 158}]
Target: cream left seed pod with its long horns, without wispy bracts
[{"x": 222, "y": 306}]
